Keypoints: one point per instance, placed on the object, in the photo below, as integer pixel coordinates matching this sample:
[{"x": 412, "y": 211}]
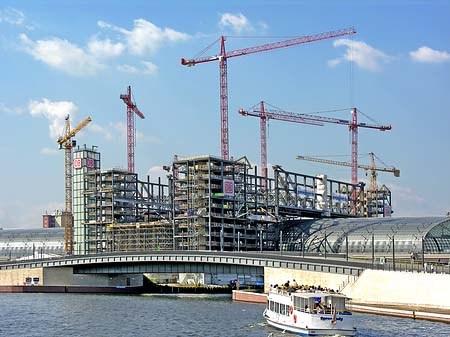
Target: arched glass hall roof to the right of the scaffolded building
[{"x": 406, "y": 235}]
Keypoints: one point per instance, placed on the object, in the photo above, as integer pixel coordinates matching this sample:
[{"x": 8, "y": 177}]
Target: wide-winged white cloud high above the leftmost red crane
[{"x": 146, "y": 38}]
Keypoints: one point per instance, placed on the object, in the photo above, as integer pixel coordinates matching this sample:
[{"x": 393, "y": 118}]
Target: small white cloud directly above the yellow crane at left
[{"x": 55, "y": 112}]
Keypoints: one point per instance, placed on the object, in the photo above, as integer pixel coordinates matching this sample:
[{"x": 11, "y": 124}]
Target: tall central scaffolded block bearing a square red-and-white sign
[{"x": 210, "y": 193}]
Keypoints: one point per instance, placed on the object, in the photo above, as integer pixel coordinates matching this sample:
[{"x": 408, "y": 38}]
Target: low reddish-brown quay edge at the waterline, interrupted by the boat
[{"x": 414, "y": 312}]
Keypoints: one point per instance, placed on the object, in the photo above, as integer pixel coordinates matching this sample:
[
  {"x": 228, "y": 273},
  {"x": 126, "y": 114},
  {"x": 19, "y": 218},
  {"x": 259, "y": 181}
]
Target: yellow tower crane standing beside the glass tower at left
[{"x": 65, "y": 142}]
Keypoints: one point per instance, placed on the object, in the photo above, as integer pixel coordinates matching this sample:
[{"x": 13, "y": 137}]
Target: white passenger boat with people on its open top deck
[{"x": 309, "y": 313}]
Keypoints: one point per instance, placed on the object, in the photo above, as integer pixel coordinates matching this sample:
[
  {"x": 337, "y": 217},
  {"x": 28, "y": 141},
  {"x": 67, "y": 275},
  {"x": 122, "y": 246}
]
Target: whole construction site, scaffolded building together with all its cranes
[{"x": 212, "y": 202}]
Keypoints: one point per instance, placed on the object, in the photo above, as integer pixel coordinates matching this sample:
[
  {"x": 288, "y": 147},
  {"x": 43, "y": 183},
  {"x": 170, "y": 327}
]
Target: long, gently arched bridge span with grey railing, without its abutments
[{"x": 190, "y": 262}]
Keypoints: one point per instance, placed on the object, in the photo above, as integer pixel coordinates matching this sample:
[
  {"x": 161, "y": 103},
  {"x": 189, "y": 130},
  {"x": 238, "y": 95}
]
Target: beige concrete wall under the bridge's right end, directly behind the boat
[{"x": 281, "y": 275}]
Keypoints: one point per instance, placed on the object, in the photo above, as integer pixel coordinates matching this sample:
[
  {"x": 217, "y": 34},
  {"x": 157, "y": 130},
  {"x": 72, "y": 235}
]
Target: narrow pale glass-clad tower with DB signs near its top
[{"x": 84, "y": 160}]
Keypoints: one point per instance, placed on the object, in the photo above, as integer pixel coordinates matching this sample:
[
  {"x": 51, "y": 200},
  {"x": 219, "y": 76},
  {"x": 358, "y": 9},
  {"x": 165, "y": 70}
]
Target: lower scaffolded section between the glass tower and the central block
[{"x": 125, "y": 214}]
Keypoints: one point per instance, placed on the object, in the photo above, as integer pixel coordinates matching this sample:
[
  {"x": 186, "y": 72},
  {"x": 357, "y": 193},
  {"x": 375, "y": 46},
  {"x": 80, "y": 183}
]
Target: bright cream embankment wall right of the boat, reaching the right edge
[{"x": 401, "y": 288}]
